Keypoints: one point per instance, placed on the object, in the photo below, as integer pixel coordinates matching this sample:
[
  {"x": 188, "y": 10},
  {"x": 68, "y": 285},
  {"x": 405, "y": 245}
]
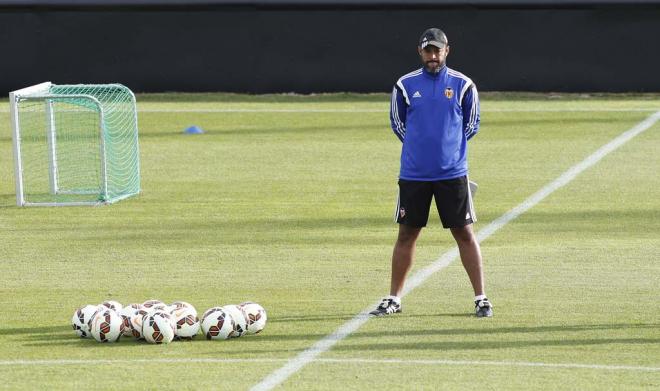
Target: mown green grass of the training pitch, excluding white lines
[{"x": 293, "y": 210}]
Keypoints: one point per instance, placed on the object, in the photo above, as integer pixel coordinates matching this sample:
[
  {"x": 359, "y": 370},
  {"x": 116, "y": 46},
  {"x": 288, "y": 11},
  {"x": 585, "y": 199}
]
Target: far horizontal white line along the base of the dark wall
[{"x": 361, "y": 111}]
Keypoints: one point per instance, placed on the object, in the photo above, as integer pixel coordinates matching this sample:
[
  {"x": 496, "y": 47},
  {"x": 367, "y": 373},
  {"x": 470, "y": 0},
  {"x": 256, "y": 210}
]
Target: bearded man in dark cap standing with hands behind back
[{"x": 434, "y": 112}]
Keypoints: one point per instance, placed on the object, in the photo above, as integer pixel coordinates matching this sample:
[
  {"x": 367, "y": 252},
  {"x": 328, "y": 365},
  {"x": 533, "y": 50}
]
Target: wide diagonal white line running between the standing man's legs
[{"x": 326, "y": 343}]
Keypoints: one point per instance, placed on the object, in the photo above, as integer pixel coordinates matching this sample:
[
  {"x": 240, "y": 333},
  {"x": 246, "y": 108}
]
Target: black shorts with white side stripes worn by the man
[{"x": 452, "y": 198}]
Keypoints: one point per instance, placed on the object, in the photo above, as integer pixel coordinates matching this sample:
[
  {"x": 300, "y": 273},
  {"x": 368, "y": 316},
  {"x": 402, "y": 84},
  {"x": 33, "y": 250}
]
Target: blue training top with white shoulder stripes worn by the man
[{"x": 434, "y": 115}]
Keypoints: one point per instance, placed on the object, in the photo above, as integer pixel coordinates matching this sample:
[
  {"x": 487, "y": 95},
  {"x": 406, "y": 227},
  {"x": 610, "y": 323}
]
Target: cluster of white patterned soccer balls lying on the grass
[{"x": 157, "y": 322}]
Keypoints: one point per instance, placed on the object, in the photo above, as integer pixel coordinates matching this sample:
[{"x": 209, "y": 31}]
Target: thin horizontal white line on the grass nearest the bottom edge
[{"x": 328, "y": 361}]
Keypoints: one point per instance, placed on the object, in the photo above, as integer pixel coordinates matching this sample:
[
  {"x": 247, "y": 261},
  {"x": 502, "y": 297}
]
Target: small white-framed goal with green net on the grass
[{"x": 74, "y": 144}]
